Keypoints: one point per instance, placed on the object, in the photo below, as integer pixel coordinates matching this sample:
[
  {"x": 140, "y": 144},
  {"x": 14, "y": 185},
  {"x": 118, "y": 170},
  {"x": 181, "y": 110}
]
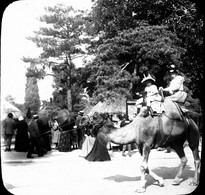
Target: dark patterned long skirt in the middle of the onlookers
[{"x": 64, "y": 144}]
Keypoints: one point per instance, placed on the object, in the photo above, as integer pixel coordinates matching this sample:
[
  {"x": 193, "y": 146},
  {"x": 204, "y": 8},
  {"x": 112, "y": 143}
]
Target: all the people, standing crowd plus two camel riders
[{"x": 35, "y": 137}]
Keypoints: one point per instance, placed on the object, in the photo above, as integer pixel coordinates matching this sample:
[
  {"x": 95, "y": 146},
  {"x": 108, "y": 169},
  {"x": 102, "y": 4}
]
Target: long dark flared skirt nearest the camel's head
[{"x": 99, "y": 151}]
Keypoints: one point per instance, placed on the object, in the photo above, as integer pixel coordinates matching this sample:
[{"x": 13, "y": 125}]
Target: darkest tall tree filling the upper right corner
[{"x": 183, "y": 18}]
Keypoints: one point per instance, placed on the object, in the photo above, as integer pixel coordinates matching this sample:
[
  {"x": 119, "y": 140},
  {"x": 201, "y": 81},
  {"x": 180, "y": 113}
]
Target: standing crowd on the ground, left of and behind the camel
[{"x": 30, "y": 138}]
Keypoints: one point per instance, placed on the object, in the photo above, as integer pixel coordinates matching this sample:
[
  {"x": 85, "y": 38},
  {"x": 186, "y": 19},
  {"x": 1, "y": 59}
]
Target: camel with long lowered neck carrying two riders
[{"x": 150, "y": 132}]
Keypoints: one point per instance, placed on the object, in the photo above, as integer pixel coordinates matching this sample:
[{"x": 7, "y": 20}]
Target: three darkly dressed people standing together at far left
[{"x": 28, "y": 137}]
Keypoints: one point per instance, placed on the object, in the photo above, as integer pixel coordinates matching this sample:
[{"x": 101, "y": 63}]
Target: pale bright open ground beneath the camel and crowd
[{"x": 66, "y": 173}]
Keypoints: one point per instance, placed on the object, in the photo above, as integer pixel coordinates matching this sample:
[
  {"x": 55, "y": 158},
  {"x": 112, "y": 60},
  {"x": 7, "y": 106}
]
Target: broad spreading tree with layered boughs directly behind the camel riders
[{"x": 144, "y": 48}]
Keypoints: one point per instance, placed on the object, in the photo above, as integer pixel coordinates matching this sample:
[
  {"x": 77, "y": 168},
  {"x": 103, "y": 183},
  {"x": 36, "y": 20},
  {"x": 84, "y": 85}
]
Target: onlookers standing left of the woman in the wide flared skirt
[{"x": 35, "y": 136}]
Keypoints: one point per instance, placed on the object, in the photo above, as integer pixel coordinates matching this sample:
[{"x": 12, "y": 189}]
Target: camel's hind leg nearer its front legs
[{"x": 180, "y": 151}]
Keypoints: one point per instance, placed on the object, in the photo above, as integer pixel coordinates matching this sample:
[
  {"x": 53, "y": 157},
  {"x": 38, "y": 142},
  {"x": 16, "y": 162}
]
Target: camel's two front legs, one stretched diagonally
[{"x": 144, "y": 170}]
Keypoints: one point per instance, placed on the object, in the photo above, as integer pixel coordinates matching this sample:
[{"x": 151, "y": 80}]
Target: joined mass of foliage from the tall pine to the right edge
[{"x": 128, "y": 39}]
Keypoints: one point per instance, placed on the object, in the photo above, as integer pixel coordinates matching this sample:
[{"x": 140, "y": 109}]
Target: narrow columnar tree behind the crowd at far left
[{"x": 32, "y": 99}]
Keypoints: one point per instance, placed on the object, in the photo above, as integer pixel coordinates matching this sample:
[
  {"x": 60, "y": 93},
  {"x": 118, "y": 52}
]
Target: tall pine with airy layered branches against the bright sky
[{"x": 61, "y": 42}]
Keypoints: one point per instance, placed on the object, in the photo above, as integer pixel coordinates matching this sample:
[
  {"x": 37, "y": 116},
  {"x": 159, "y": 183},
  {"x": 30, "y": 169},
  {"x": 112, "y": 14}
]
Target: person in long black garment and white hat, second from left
[{"x": 22, "y": 139}]
